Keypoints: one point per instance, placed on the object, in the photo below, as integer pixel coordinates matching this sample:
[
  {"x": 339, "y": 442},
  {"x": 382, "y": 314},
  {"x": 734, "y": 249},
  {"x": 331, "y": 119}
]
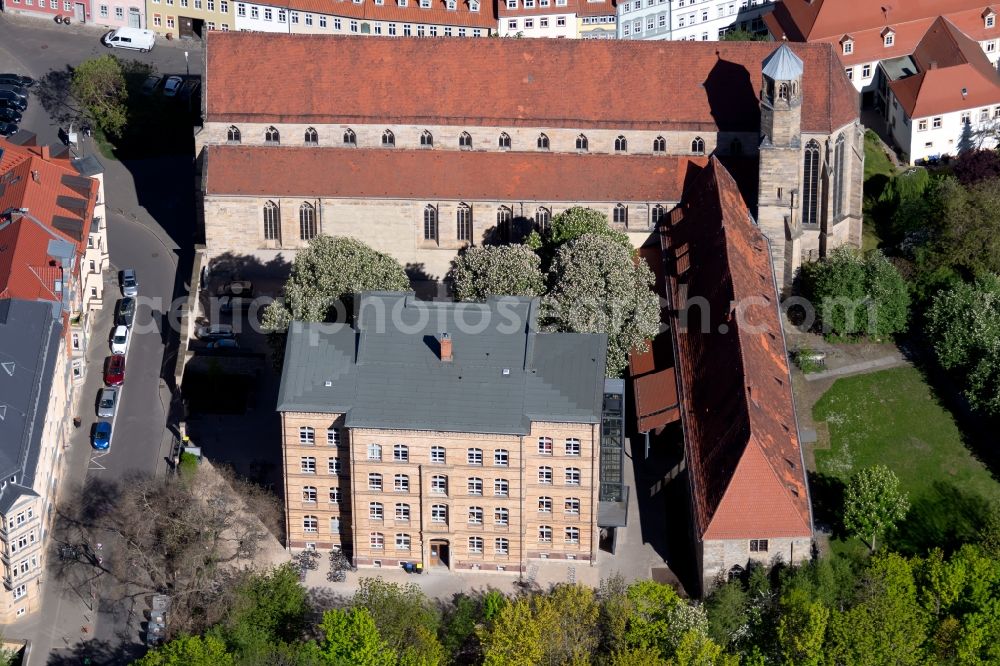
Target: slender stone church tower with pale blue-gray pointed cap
[{"x": 780, "y": 157}]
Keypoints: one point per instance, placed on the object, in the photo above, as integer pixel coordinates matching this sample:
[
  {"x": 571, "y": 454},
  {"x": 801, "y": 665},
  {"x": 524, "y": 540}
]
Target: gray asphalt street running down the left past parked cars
[{"x": 150, "y": 228}]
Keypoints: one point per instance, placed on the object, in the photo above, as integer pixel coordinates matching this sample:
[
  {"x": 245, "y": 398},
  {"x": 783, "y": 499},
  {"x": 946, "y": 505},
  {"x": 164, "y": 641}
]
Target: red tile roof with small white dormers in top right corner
[{"x": 829, "y": 21}]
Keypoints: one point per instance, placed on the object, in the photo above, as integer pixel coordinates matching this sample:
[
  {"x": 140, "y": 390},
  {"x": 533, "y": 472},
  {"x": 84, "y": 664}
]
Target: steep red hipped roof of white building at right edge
[{"x": 954, "y": 75}]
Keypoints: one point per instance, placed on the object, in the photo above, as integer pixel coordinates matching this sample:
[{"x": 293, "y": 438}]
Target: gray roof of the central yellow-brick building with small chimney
[{"x": 386, "y": 372}]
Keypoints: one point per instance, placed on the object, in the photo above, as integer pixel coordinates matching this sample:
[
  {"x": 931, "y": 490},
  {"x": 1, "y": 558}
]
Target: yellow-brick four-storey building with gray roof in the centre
[{"x": 411, "y": 436}]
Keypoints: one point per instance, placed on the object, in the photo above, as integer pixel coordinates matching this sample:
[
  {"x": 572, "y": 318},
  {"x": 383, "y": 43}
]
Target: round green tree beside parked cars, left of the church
[{"x": 99, "y": 85}]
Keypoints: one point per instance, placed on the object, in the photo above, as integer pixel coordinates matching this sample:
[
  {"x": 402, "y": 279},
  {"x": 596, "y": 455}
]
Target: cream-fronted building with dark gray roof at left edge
[{"x": 35, "y": 404}]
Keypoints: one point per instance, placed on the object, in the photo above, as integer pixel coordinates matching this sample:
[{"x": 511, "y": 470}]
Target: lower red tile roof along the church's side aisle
[{"x": 444, "y": 174}]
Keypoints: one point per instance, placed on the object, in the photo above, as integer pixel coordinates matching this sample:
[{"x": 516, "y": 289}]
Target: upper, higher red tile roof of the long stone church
[{"x": 695, "y": 86}]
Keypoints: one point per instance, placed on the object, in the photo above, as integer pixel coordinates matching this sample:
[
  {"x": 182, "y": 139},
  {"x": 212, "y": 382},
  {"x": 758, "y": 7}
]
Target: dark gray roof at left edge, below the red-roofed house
[{"x": 29, "y": 344}]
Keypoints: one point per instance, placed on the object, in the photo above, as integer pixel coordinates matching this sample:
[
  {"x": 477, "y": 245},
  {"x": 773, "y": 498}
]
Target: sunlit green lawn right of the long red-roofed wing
[{"x": 894, "y": 418}]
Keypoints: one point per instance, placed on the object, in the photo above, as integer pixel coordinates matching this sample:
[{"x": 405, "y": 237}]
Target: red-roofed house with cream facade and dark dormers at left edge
[{"x": 55, "y": 240}]
